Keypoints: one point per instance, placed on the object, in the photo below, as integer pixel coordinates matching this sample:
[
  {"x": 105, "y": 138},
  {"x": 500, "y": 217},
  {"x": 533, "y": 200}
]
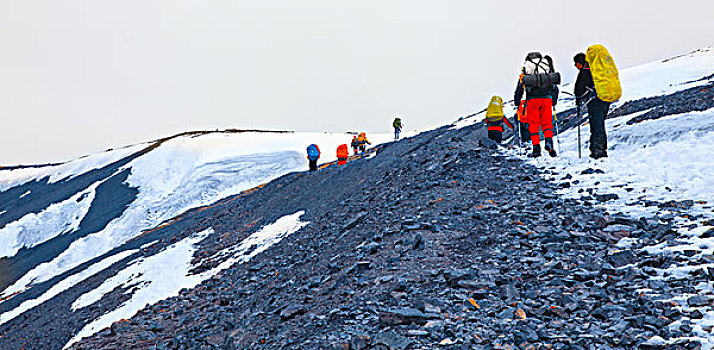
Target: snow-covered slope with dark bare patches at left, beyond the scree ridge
[{"x": 55, "y": 219}]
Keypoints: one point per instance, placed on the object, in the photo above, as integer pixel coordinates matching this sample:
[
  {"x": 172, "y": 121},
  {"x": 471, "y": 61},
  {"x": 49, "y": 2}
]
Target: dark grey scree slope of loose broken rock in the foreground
[{"x": 435, "y": 240}]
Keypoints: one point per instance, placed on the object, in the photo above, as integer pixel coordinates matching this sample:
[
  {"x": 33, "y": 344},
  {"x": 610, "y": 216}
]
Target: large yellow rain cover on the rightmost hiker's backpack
[{"x": 605, "y": 75}]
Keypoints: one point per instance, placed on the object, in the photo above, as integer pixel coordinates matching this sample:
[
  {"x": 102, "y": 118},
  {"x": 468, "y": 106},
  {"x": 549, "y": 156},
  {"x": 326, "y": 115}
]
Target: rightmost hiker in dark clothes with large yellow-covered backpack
[{"x": 597, "y": 86}]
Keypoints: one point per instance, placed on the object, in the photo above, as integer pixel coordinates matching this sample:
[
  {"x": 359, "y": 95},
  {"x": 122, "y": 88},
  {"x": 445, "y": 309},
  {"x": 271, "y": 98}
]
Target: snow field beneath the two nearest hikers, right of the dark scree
[{"x": 659, "y": 160}]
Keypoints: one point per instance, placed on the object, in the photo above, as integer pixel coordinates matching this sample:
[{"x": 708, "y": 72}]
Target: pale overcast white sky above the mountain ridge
[{"x": 81, "y": 76}]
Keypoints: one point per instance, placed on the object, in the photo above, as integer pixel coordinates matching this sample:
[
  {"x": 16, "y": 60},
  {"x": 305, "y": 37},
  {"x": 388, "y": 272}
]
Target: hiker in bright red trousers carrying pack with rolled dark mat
[{"x": 539, "y": 81}]
